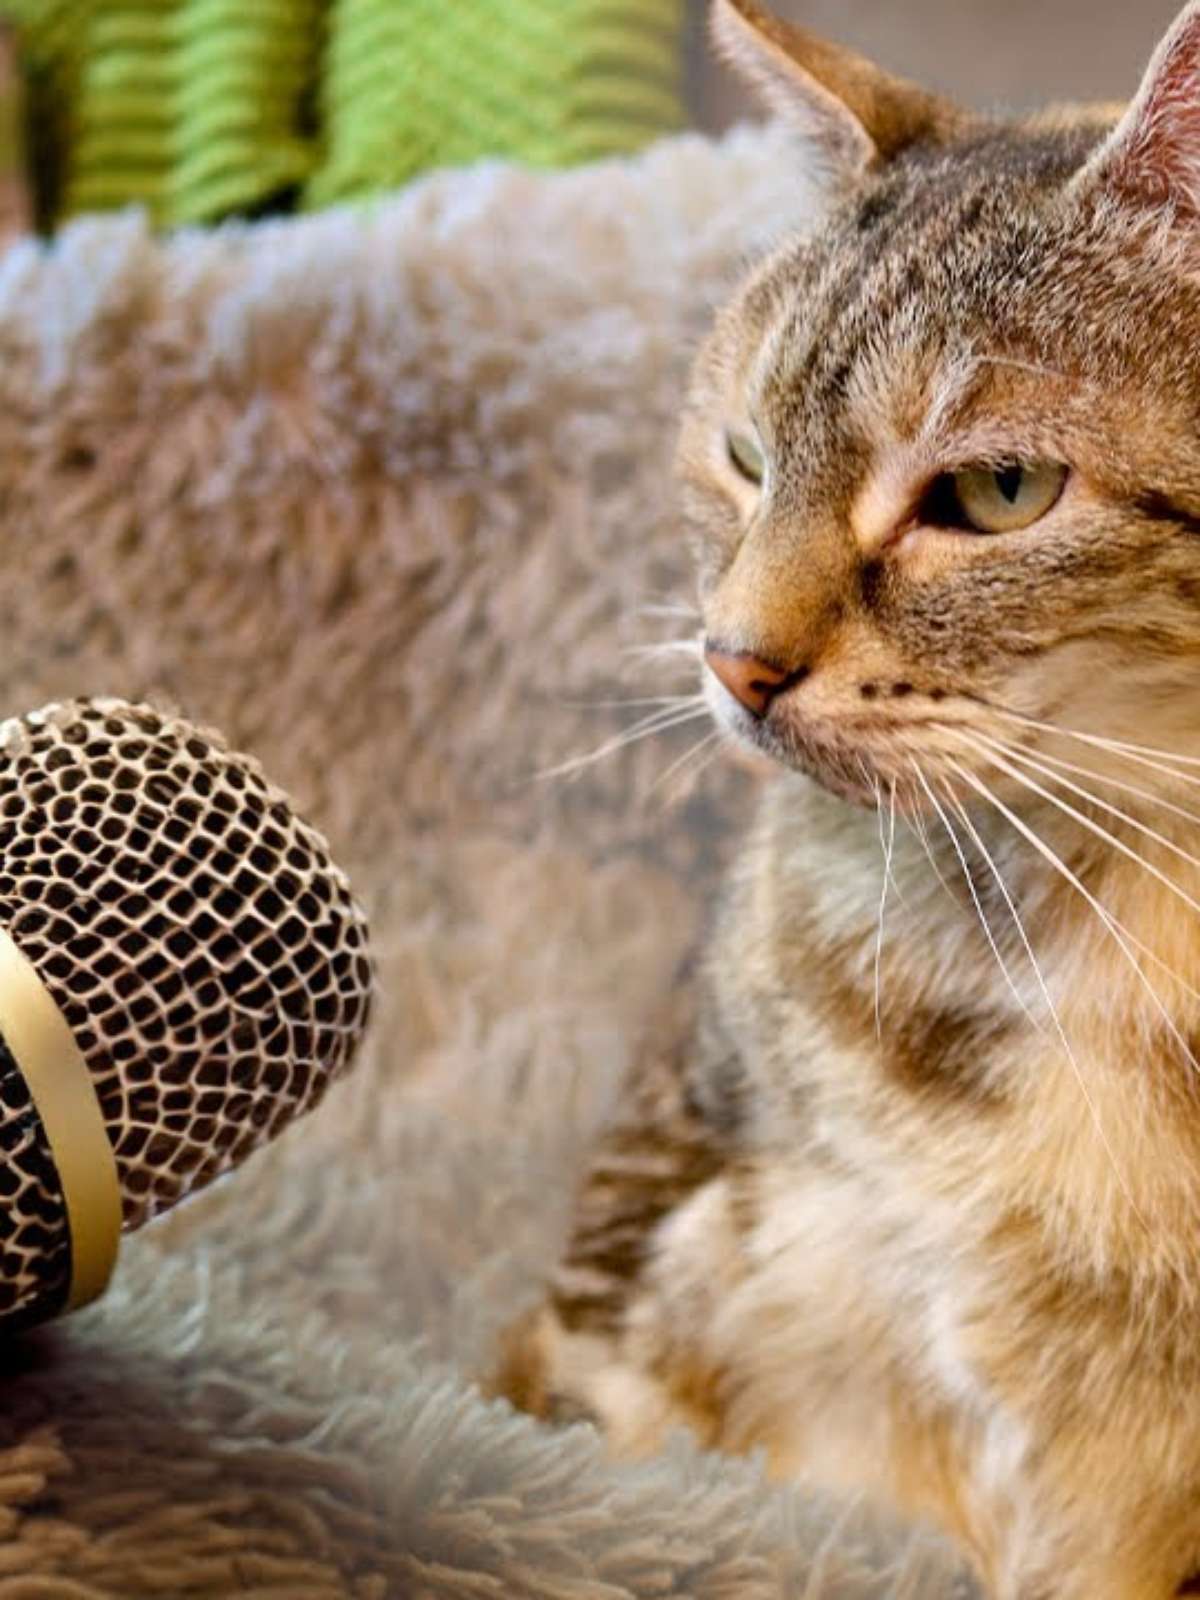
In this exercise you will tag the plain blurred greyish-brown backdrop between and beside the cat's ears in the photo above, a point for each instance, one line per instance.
(1022, 54)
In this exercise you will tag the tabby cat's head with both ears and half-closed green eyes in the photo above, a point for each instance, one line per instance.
(942, 457)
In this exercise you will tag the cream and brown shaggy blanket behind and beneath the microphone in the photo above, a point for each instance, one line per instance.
(386, 498)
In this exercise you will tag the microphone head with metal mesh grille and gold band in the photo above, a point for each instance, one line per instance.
(183, 970)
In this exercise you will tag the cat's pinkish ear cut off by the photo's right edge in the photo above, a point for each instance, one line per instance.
(1153, 158)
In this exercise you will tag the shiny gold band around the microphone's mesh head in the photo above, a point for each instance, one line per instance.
(71, 1116)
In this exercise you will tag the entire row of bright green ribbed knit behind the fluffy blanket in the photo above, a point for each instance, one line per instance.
(204, 108)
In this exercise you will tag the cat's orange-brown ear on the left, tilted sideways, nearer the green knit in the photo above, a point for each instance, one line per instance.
(850, 110)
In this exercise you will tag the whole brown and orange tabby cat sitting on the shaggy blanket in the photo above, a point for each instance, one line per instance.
(918, 1207)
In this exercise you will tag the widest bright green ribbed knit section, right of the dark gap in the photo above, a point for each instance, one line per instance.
(444, 82)
